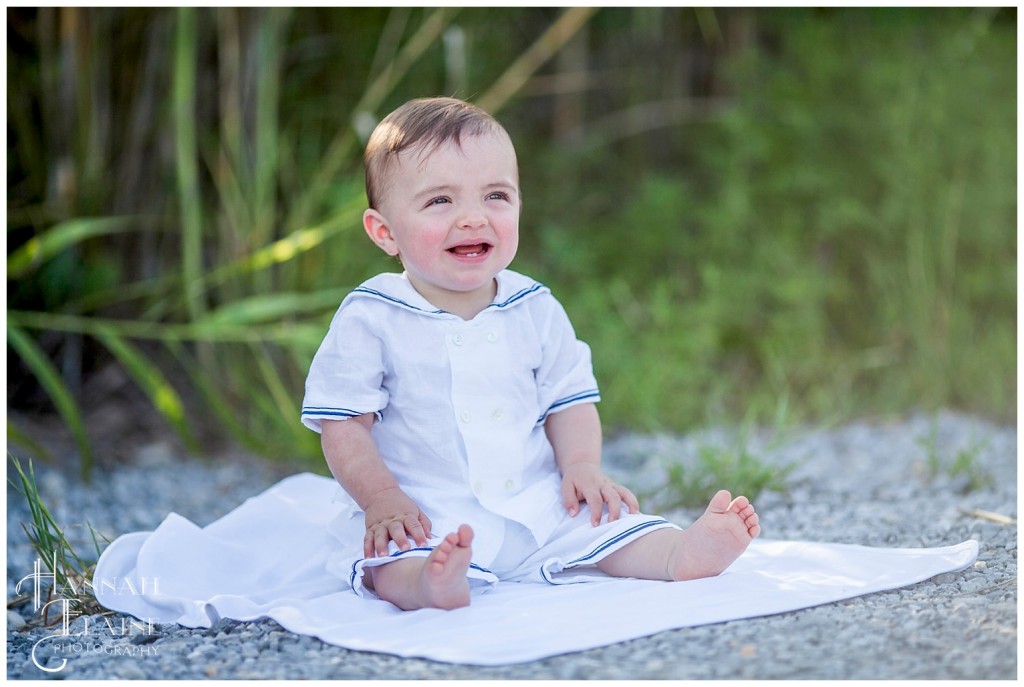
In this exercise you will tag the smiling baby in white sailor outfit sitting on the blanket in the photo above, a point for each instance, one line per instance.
(455, 398)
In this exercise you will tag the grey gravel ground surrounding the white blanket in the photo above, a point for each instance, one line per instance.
(887, 485)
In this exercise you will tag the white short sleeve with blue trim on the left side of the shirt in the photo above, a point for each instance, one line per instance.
(346, 376)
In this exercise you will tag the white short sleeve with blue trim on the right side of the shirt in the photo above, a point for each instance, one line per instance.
(567, 375)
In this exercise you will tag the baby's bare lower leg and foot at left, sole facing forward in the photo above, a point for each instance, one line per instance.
(436, 582)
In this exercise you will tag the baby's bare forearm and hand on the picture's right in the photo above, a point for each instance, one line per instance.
(576, 436)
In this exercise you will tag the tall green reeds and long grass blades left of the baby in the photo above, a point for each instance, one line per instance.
(216, 297)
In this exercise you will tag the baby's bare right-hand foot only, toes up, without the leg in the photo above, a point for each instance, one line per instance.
(717, 539)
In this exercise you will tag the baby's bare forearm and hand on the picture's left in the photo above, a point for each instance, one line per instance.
(356, 463)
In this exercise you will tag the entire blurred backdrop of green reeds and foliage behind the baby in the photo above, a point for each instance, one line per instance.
(756, 216)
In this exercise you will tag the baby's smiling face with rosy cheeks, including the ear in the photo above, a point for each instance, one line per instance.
(452, 214)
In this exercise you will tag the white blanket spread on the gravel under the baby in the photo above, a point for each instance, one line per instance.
(267, 559)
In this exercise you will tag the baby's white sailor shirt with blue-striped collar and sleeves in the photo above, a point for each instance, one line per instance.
(460, 405)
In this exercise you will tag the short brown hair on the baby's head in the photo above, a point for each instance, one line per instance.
(426, 122)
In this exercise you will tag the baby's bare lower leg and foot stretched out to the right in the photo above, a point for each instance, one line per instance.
(707, 548)
